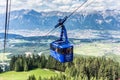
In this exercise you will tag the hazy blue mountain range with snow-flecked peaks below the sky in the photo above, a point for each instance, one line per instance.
(31, 19)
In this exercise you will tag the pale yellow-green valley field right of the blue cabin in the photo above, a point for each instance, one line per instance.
(97, 49)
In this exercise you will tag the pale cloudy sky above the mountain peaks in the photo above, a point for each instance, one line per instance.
(60, 5)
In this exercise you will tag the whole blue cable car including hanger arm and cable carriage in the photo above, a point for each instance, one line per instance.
(61, 49)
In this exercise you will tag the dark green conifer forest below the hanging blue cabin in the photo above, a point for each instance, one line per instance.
(82, 68)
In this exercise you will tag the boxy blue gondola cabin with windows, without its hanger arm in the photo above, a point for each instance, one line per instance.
(61, 51)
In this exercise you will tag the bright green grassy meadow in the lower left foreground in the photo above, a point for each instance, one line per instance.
(12, 75)
